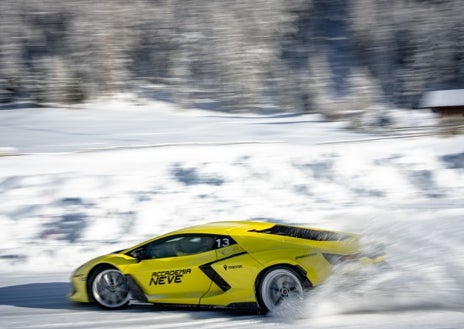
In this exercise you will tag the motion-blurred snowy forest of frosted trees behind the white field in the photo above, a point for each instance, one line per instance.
(287, 55)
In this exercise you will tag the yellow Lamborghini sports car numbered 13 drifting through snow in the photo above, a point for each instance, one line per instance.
(223, 264)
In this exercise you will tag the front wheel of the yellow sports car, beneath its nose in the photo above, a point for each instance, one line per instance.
(110, 290)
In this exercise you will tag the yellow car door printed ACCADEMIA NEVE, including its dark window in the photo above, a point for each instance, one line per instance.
(169, 269)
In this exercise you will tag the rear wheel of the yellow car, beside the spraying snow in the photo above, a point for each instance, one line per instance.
(280, 288)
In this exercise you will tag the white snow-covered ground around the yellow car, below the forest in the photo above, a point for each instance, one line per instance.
(80, 183)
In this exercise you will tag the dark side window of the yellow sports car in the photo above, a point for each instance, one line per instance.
(180, 245)
